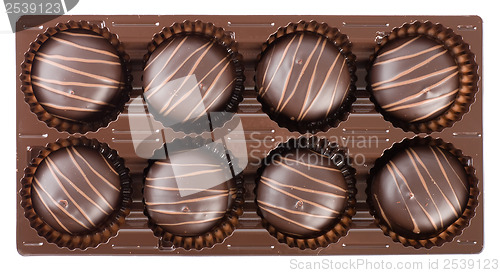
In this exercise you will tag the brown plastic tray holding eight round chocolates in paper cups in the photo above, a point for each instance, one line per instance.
(364, 133)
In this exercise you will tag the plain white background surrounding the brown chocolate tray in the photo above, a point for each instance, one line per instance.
(9, 258)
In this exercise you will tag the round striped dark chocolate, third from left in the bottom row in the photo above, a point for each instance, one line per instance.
(302, 193)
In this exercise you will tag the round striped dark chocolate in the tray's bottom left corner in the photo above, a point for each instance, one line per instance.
(75, 190)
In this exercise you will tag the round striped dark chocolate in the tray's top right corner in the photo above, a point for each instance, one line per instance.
(414, 79)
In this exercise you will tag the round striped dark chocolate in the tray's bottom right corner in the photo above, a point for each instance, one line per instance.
(420, 191)
